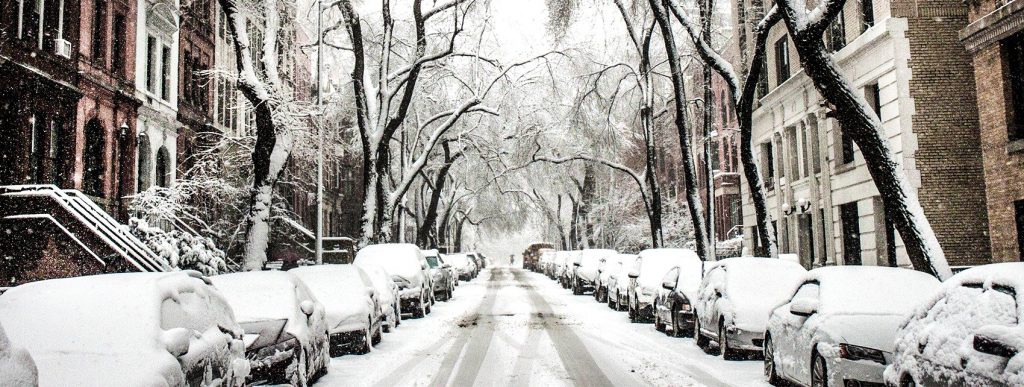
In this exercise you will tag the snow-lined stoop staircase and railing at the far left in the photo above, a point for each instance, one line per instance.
(72, 210)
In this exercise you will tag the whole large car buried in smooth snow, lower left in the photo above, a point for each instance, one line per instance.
(166, 329)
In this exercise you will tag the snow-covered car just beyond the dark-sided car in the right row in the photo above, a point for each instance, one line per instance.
(648, 276)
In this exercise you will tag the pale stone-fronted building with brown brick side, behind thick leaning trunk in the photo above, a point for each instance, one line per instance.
(905, 58)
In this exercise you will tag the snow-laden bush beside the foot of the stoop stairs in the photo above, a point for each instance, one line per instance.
(182, 250)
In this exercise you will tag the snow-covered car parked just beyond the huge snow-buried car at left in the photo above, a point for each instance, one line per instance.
(286, 331)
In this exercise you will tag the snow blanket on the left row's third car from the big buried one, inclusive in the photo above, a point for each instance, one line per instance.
(345, 292)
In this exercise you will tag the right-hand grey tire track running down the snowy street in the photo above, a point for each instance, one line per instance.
(576, 359)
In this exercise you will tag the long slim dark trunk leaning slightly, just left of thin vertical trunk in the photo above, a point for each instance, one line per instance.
(682, 126)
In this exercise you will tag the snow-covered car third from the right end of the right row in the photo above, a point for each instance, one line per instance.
(736, 299)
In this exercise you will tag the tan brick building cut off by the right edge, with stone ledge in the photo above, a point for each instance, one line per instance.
(995, 38)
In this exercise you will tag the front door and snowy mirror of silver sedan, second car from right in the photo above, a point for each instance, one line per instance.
(797, 339)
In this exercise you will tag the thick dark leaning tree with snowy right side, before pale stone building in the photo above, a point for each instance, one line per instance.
(807, 28)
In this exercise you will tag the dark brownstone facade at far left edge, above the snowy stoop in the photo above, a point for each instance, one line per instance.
(39, 92)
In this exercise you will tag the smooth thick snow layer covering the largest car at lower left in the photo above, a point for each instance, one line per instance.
(101, 330)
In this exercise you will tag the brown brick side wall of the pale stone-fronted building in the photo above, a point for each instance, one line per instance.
(946, 122)
